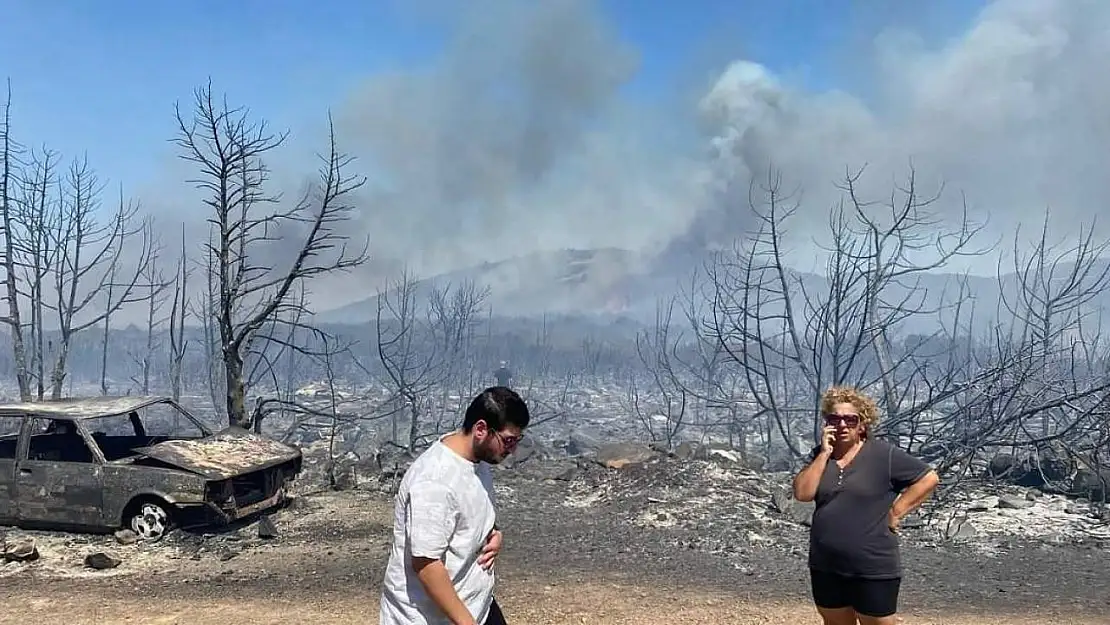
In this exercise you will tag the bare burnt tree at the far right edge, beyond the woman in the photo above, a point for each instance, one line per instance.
(1051, 384)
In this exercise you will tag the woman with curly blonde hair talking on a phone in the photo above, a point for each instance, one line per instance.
(863, 488)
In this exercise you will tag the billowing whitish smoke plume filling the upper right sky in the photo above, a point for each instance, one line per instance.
(1012, 114)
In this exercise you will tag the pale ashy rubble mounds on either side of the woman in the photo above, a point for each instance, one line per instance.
(720, 497)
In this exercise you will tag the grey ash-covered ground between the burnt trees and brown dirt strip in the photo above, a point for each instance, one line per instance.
(660, 522)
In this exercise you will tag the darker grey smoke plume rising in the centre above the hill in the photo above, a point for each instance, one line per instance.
(517, 140)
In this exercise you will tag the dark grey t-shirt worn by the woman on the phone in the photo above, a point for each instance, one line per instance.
(850, 533)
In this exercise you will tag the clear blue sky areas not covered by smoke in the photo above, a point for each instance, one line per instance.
(103, 76)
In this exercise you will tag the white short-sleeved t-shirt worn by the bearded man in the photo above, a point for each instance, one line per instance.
(445, 509)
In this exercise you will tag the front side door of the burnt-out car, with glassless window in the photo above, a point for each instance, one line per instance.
(59, 480)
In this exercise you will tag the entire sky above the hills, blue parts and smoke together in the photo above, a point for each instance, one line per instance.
(493, 128)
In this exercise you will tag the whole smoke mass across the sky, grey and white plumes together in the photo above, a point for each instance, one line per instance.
(523, 136)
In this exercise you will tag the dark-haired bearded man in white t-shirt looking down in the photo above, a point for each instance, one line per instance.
(446, 535)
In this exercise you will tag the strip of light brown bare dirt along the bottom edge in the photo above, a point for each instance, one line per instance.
(551, 604)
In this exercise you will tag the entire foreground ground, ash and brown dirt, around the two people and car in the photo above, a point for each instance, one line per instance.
(663, 541)
